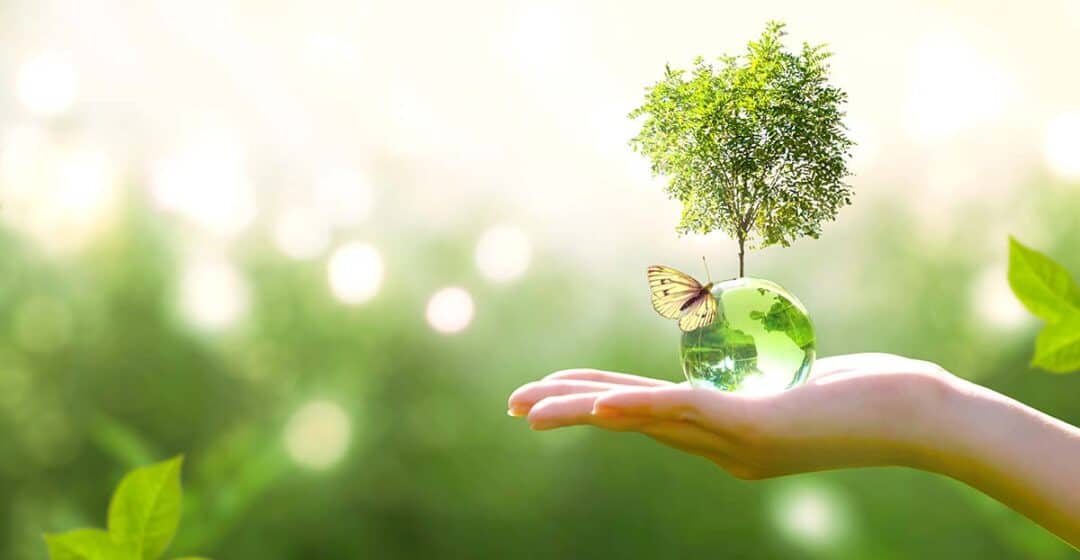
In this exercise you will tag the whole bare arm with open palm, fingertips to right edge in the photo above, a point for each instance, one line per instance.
(857, 411)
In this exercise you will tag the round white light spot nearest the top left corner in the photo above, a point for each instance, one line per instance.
(47, 85)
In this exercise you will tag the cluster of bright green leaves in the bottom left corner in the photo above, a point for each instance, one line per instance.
(144, 515)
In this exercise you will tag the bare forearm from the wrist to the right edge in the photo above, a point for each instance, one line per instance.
(1012, 453)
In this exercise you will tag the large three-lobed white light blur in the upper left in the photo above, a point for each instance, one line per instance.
(206, 180)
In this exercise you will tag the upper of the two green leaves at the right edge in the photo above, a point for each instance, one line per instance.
(1044, 286)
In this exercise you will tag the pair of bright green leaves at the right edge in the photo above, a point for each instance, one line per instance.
(1049, 292)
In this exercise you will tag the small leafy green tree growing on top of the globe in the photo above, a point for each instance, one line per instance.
(754, 146)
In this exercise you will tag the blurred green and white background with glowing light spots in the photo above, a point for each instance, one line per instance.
(211, 250)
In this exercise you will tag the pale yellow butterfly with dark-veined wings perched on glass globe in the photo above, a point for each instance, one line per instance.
(678, 296)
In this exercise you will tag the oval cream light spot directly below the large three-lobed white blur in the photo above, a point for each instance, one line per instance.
(213, 293)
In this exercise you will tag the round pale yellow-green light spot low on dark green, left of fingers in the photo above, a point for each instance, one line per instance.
(318, 435)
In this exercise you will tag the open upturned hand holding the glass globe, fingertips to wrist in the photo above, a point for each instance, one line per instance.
(856, 411)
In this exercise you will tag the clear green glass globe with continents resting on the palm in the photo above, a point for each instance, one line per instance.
(762, 342)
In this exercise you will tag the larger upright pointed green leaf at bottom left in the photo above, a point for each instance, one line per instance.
(145, 510)
